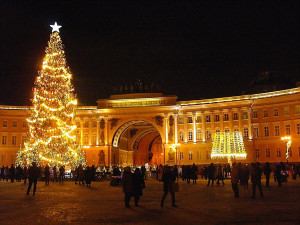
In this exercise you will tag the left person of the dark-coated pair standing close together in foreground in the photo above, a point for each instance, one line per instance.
(127, 185)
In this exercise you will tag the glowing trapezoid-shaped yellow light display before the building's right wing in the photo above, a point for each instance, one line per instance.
(228, 145)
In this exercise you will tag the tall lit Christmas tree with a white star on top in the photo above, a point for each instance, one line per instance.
(52, 129)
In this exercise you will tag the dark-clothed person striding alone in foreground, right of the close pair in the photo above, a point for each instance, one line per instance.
(168, 179)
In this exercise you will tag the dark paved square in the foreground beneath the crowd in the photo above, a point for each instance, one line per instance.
(198, 204)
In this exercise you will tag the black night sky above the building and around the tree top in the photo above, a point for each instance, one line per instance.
(192, 50)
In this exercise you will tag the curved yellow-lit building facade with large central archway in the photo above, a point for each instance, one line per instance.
(134, 129)
